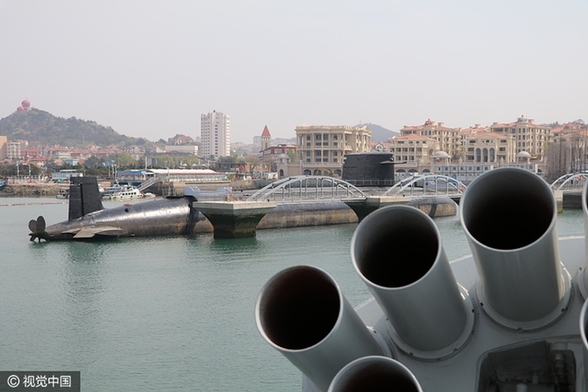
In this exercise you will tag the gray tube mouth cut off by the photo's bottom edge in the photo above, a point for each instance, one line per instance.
(374, 374)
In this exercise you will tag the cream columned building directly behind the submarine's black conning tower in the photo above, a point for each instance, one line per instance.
(321, 148)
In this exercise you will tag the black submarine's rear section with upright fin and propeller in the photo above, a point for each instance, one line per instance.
(88, 219)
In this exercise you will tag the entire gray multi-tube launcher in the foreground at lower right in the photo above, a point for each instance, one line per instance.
(511, 316)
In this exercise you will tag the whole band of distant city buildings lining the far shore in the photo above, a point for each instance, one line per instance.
(430, 147)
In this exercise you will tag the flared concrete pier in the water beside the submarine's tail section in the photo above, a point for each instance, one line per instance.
(235, 219)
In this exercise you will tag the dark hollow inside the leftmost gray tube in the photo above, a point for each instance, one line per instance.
(299, 308)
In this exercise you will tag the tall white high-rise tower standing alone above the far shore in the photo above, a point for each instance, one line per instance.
(215, 135)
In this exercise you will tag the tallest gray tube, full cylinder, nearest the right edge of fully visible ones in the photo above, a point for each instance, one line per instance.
(509, 217)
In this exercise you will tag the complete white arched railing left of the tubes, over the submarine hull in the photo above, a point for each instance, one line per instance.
(307, 188)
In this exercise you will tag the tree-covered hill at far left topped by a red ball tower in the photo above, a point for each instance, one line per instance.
(41, 128)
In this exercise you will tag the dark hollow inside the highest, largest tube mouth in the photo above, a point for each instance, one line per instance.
(508, 210)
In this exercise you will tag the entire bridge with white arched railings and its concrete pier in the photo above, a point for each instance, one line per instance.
(420, 191)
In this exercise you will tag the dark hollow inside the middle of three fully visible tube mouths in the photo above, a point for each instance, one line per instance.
(396, 249)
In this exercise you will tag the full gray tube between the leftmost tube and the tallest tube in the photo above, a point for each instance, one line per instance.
(397, 251)
